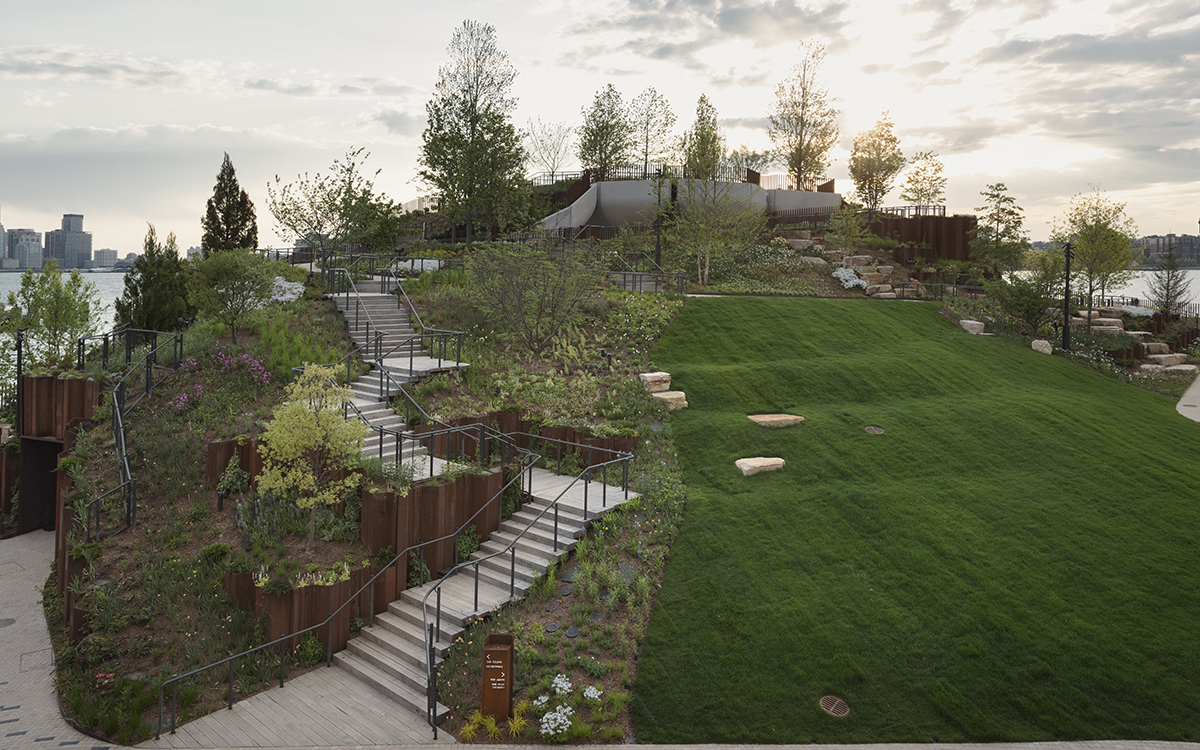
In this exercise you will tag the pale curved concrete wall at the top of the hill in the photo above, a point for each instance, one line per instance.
(632, 202)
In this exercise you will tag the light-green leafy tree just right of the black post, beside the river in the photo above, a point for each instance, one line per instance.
(1103, 238)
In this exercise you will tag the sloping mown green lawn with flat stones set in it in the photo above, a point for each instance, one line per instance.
(1016, 559)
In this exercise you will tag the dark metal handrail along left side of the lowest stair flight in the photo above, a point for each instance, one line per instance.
(526, 457)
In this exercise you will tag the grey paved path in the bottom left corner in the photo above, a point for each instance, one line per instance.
(29, 707)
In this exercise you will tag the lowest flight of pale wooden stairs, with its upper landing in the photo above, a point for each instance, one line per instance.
(389, 656)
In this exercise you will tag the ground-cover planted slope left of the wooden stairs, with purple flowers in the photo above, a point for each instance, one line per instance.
(154, 595)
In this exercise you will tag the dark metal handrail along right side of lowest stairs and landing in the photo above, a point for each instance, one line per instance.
(430, 629)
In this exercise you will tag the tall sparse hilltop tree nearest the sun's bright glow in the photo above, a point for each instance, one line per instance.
(803, 122)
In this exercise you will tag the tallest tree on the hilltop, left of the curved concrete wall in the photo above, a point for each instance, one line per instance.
(472, 157)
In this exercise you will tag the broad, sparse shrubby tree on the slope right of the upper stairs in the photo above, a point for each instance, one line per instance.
(531, 293)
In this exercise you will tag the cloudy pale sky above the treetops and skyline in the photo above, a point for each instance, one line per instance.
(122, 111)
